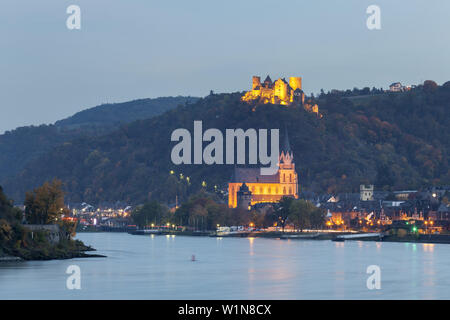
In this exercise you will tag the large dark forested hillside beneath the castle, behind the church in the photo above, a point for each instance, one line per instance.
(394, 140)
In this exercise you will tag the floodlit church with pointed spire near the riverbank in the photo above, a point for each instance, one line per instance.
(248, 187)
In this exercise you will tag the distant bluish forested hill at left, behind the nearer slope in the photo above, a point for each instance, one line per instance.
(20, 146)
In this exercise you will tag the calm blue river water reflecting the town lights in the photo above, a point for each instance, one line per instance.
(161, 267)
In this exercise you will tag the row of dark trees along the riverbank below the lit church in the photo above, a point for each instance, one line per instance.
(204, 211)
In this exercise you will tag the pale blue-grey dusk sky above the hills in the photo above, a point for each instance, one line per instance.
(139, 49)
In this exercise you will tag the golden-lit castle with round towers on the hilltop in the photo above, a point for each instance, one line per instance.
(279, 92)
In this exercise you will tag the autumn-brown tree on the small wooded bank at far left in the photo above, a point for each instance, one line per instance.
(45, 204)
